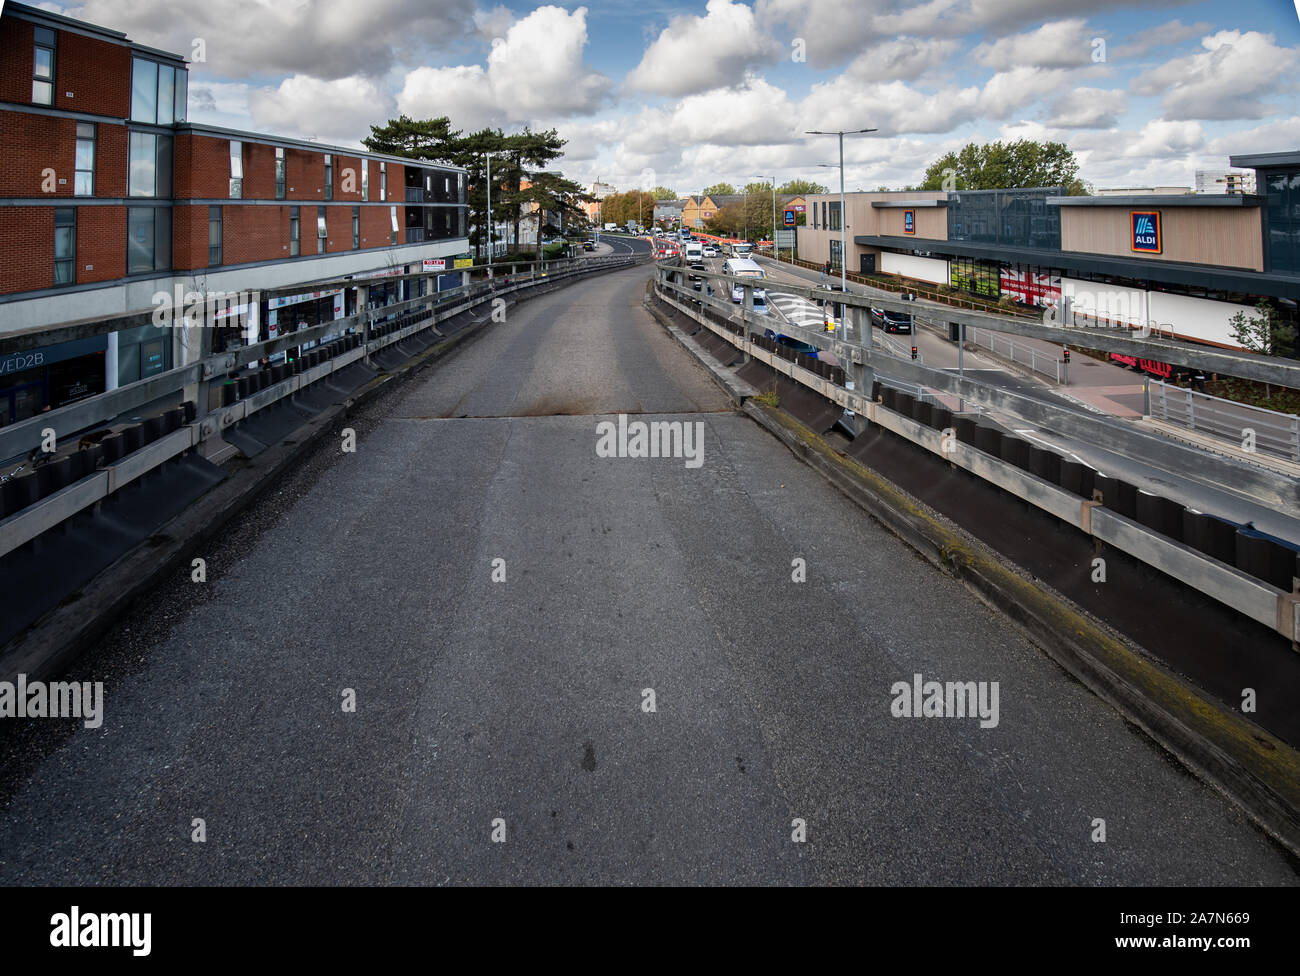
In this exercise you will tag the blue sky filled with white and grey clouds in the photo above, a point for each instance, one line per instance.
(688, 94)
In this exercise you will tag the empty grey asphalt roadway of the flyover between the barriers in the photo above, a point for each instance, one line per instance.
(521, 708)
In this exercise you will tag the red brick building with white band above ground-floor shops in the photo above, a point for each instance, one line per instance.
(111, 198)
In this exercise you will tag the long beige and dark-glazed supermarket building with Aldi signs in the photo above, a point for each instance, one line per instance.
(1188, 261)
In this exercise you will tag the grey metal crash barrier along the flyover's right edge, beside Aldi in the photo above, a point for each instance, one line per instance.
(1249, 571)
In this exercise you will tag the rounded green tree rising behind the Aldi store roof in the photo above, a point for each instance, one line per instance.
(999, 166)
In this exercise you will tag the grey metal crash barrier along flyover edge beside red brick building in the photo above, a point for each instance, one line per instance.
(215, 394)
